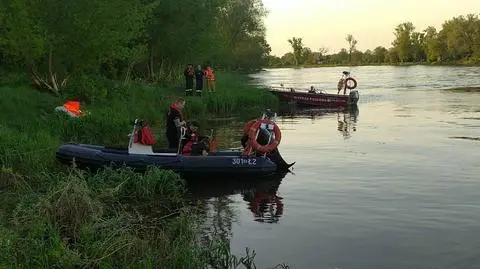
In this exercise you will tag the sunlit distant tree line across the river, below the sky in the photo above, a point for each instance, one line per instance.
(458, 42)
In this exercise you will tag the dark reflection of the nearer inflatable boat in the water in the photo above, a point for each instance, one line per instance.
(261, 195)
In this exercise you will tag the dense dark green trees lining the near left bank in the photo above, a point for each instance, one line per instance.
(55, 40)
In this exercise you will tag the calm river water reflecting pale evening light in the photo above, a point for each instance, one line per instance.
(395, 184)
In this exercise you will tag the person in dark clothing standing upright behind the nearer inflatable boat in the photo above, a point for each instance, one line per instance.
(174, 123)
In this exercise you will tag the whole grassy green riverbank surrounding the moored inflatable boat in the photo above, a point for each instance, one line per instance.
(54, 217)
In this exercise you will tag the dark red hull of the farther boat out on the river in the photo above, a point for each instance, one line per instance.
(318, 99)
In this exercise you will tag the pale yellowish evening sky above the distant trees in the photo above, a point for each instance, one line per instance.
(326, 23)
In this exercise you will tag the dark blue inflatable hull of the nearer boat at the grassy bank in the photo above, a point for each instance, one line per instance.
(227, 163)
